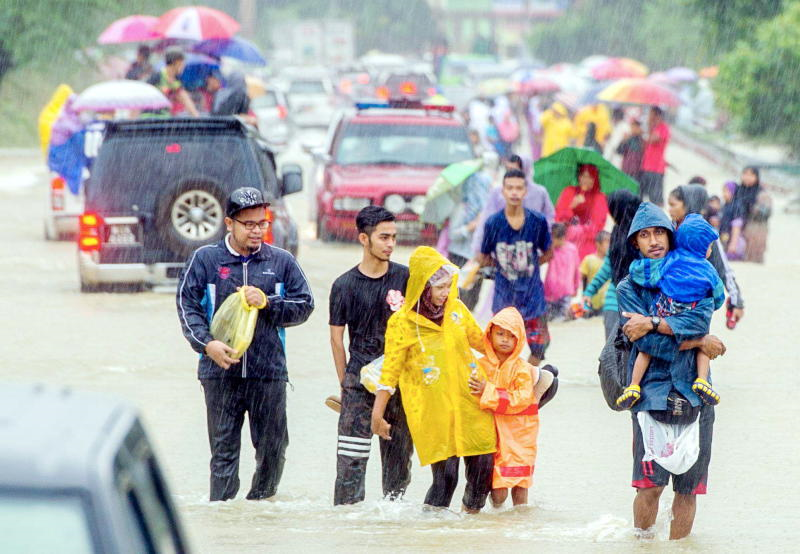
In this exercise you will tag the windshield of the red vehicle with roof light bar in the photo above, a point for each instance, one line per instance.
(403, 144)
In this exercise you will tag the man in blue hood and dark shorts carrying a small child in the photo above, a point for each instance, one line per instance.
(666, 386)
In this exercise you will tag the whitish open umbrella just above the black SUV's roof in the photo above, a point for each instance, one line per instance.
(121, 94)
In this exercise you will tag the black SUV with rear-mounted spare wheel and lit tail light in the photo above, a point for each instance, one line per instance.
(157, 192)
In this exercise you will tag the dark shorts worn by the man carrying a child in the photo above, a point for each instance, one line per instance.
(649, 474)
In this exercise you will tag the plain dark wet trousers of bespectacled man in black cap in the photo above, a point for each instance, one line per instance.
(227, 401)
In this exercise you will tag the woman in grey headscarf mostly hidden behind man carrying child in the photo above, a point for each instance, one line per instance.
(692, 199)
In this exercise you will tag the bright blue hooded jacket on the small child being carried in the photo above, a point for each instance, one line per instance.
(684, 274)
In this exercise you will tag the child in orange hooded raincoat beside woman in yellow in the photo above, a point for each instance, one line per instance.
(512, 391)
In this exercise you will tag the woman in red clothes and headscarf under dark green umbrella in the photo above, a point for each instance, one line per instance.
(583, 209)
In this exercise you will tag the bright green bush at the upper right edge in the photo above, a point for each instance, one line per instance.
(759, 81)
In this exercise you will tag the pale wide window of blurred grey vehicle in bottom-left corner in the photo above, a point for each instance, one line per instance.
(24, 516)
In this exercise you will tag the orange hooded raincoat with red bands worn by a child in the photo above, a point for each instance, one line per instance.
(509, 394)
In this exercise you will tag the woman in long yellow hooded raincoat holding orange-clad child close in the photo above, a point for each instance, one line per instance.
(428, 354)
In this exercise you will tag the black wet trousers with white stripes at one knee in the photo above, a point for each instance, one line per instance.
(355, 438)
